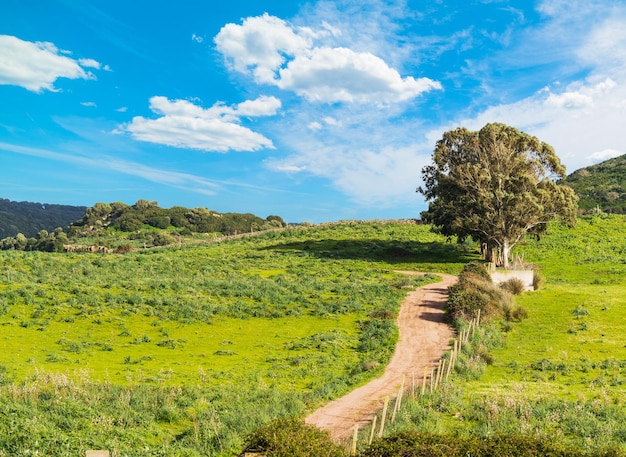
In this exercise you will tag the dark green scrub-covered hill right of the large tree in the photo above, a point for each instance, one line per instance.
(601, 186)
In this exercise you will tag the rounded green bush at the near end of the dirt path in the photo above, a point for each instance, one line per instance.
(291, 437)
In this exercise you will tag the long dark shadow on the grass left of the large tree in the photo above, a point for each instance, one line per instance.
(389, 251)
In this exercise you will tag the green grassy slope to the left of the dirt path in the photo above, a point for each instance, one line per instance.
(185, 350)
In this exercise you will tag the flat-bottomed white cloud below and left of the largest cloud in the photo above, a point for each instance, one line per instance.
(217, 129)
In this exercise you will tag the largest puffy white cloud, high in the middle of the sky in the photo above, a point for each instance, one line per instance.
(277, 53)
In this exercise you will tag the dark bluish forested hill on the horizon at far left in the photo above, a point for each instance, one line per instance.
(29, 218)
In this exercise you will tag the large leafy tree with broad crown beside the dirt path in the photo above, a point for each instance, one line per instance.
(495, 186)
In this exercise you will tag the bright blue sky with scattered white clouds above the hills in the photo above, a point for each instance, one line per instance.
(315, 111)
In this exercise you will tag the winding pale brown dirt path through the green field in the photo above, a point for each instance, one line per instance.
(423, 339)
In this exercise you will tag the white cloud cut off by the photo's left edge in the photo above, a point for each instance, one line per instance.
(36, 66)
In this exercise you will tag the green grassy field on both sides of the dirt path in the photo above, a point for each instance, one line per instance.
(185, 350)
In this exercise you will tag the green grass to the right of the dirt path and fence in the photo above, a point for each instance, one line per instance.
(561, 373)
